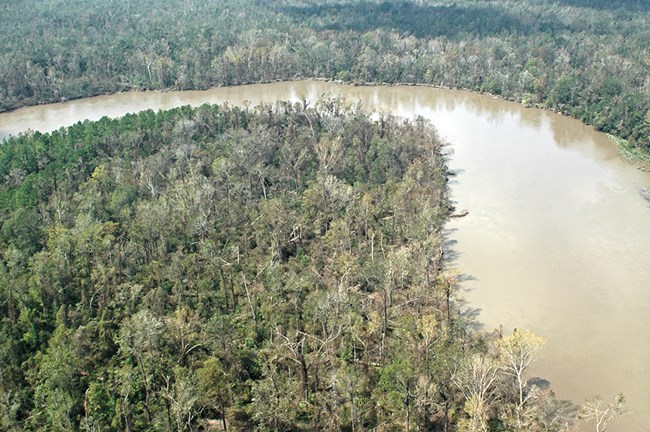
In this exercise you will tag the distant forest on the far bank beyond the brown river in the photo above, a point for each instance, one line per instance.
(585, 58)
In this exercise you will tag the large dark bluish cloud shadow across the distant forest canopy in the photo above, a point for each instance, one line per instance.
(418, 20)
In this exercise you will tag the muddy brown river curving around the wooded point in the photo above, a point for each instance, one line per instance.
(557, 238)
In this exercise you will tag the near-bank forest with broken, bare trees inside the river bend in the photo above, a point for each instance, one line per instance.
(271, 269)
